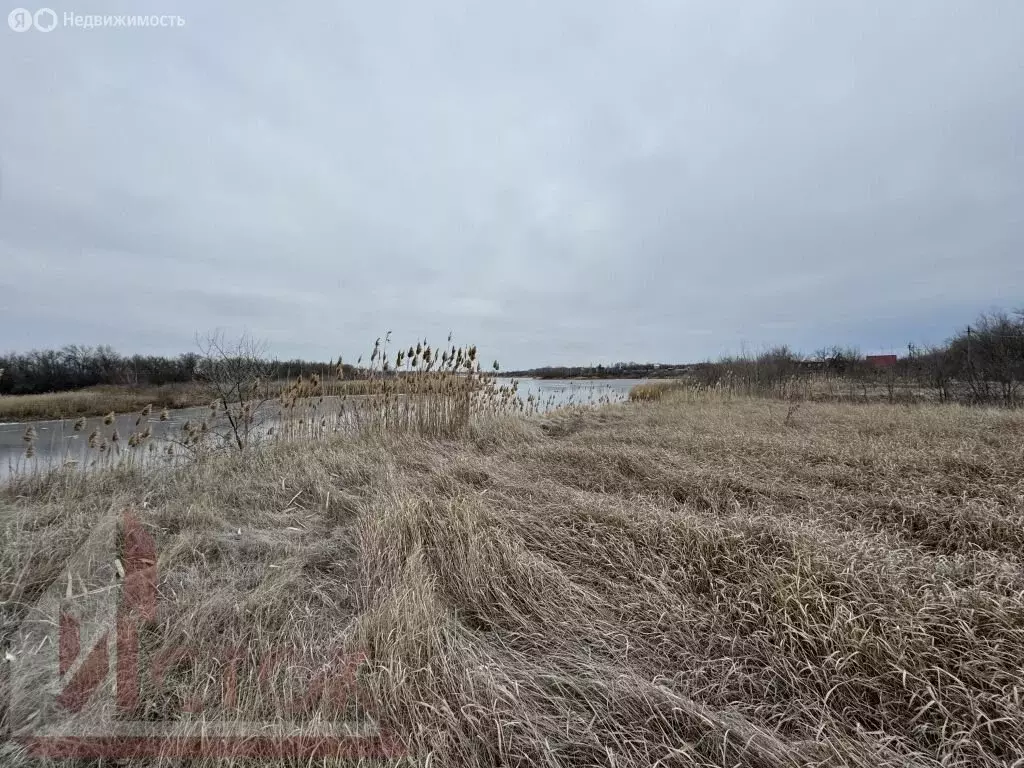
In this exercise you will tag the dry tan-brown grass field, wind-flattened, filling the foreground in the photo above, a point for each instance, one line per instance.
(691, 581)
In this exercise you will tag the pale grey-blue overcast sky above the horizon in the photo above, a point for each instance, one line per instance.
(573, 182)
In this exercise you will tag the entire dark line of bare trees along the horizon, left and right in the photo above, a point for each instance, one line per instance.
(983, 364)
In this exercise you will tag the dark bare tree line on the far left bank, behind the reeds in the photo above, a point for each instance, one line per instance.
(78, 367)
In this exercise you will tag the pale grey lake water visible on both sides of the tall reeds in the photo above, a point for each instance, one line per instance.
(58, 443)
